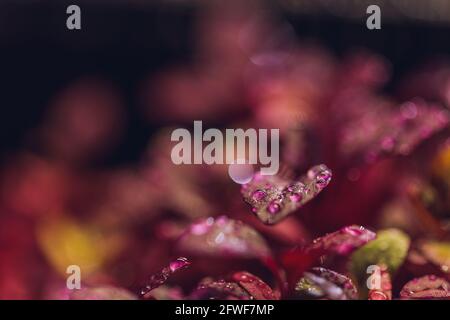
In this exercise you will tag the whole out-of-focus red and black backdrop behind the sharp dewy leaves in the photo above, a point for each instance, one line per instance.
(86, 116)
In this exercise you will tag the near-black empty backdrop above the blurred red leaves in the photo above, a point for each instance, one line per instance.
(125, 43)
